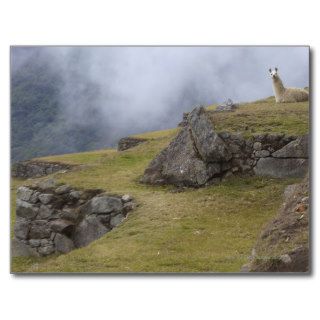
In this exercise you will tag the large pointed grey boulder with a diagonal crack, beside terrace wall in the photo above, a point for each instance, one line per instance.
(193, 158)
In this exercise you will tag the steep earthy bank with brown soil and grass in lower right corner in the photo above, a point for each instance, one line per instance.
(283, 246)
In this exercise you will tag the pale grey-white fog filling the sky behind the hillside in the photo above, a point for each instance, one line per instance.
(126, 90)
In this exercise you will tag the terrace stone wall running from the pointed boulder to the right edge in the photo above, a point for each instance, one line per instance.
(274, 155)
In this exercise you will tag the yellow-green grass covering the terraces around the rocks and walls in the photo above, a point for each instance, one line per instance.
(199, 230)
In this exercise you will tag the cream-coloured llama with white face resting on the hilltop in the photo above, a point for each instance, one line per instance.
(283, 94)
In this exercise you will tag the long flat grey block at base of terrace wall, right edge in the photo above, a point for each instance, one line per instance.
(281, 168)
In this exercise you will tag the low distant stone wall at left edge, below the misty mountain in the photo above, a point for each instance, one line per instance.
(34, 168)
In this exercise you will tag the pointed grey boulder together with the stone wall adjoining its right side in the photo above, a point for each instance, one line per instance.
(199, 155)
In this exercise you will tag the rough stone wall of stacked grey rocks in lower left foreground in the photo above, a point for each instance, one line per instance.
(57, 219)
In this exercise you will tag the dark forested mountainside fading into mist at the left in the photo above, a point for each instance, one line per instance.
(38, 127)
